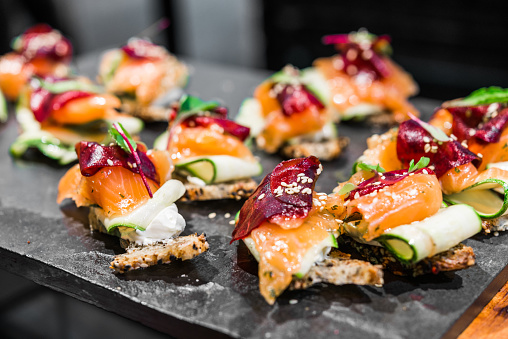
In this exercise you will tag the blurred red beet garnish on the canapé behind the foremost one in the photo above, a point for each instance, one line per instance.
(296, 98)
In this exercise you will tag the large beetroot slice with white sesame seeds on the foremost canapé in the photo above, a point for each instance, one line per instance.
(272, 198)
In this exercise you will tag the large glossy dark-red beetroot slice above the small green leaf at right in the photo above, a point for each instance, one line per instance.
(414, 142)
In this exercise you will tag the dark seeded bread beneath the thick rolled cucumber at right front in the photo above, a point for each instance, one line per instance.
(456, 258)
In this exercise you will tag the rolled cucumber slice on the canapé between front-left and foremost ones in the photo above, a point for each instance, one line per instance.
(219, 168)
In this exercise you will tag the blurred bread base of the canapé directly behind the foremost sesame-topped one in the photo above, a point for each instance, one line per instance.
(325, 150)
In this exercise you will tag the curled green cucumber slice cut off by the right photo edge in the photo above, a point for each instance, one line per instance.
(487, 203)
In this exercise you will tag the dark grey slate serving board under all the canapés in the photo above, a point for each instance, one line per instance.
(216, 294)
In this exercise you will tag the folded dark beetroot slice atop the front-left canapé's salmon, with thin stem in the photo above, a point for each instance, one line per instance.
(93, 157)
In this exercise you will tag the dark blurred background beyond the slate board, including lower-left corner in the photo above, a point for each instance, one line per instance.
(451, 48)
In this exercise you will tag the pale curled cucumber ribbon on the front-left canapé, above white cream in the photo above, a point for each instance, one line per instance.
(142, 216)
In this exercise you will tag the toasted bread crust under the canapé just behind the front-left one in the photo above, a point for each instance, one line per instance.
(238, 189)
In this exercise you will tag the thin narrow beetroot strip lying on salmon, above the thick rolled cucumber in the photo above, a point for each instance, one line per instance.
(382, 180)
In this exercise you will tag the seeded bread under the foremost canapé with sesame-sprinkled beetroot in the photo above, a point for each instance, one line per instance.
(340, 269)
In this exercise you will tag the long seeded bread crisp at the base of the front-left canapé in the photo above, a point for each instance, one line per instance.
(163, 252)
